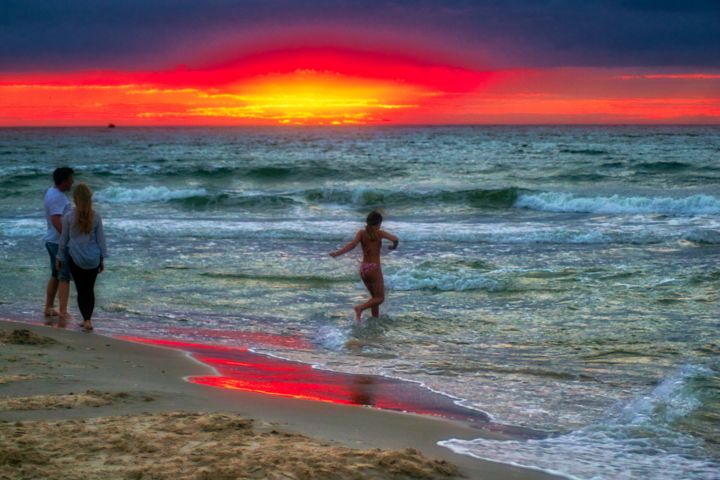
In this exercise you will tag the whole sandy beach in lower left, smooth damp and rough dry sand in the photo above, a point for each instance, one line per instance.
(74, 405)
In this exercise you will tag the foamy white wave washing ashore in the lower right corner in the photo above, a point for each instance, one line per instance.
(636, 440)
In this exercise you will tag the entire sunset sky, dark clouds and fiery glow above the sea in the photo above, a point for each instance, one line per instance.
(222, 62)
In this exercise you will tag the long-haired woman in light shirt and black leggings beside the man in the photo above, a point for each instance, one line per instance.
(82, 245)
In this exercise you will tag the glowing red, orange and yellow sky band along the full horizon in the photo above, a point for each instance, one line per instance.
(332, 86)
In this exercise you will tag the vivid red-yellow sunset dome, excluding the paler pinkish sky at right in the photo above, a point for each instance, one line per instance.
(294, 86)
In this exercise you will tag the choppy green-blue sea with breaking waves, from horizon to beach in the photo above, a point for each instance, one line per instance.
(559, 278)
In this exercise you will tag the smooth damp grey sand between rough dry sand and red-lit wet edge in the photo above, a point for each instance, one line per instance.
(159, 373)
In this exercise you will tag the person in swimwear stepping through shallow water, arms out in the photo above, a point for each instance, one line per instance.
(370, 271)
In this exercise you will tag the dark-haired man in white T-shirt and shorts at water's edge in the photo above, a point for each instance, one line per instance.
(56, 205)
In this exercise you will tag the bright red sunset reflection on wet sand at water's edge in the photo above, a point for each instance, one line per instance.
(240, 369)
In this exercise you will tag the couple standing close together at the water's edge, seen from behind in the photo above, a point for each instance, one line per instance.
(75, 241)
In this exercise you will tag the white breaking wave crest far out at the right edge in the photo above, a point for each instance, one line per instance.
(617, 204)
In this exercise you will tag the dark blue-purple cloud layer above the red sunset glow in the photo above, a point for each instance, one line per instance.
(52, 34)
